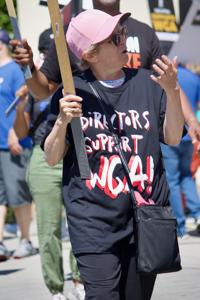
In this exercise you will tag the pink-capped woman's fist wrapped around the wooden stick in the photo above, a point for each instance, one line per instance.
(70, 107)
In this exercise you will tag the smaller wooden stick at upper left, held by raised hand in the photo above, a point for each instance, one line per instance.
(17, 35)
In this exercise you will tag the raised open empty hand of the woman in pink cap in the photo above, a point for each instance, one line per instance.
(167, 73)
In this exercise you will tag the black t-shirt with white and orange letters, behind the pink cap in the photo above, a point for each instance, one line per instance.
(142, 45)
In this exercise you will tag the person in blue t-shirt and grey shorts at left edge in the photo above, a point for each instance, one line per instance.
(14, 156)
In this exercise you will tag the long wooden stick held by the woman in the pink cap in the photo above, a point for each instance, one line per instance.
(68, 84)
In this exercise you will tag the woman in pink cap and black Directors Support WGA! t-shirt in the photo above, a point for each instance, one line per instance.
(143, 112)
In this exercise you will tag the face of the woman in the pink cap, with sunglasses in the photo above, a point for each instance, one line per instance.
(112, 52)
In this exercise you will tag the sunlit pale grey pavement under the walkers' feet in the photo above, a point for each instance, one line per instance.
(22, 279)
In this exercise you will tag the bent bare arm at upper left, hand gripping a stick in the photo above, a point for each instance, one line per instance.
(39, 86)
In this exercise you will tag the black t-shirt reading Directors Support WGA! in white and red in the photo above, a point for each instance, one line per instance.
(99, 210)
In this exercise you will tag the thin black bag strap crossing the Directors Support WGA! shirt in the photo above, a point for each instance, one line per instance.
(121, 153)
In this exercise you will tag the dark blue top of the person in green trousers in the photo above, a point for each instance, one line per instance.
(35, 108)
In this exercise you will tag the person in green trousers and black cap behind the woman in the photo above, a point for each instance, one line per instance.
(44, 181)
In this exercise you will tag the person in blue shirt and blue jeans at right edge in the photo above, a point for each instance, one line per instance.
(178, 161)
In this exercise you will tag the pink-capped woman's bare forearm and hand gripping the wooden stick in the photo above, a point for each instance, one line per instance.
(55, 144)
